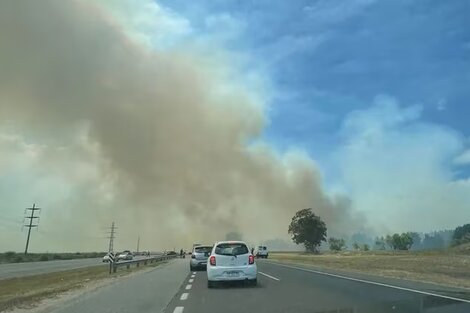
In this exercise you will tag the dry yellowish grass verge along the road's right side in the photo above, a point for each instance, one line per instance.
(447, 268)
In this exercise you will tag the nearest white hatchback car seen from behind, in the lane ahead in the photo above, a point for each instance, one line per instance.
(231, 261)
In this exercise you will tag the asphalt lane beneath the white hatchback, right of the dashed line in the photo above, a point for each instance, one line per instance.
(296, 289)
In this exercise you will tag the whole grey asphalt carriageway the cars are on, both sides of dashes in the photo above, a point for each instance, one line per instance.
(172, 288)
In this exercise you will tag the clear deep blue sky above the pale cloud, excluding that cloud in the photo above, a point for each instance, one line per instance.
(325, 59)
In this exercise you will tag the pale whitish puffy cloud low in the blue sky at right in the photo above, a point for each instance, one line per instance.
(394, 167)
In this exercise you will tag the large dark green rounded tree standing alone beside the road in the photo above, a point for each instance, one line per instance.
(308, 229)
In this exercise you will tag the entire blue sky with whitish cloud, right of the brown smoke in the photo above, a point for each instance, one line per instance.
(402, 66)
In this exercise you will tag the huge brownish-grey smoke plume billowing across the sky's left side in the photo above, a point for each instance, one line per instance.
(161, 142)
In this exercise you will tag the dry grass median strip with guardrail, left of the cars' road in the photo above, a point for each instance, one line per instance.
(24, 292)
